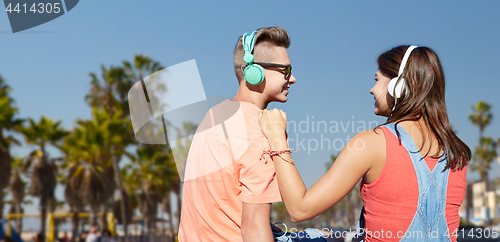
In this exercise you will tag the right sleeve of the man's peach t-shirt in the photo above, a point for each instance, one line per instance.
(257, 176)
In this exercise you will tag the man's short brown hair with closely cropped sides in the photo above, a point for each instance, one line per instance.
(265, 39)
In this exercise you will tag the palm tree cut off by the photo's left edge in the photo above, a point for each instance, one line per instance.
(8, 123)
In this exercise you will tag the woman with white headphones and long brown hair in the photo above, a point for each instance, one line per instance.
(413, 167)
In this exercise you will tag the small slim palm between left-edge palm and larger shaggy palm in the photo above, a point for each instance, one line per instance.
(17, 189)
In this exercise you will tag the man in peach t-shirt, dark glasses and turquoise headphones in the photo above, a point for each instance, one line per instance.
(229, 184)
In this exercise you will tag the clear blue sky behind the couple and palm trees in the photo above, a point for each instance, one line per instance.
(333, 52)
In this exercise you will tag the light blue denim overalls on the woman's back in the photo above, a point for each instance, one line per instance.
(429, 222)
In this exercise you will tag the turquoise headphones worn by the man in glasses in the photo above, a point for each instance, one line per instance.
(253, 73)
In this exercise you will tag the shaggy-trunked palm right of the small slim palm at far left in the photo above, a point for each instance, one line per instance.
(43, 170)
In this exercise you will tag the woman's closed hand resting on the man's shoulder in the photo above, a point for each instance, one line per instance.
(273, 124)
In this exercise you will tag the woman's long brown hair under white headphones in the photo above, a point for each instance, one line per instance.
(424, 98)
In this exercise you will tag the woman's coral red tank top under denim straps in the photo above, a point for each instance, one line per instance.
(391, 200)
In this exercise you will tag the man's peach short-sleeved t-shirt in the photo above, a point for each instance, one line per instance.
(225, 168)
